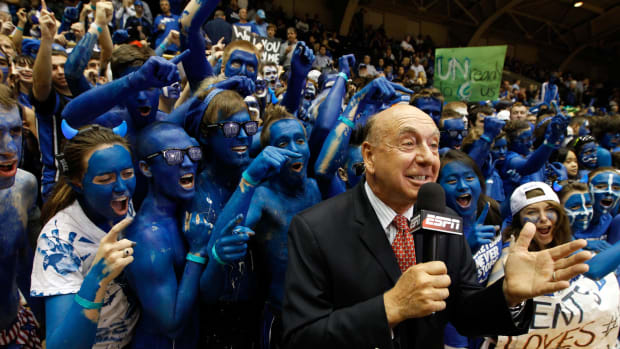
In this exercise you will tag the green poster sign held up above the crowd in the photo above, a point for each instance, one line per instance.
(469, 73)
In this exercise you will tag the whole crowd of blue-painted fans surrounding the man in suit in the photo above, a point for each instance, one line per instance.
(148, 200)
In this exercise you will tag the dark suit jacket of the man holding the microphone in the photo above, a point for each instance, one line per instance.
(341, 263)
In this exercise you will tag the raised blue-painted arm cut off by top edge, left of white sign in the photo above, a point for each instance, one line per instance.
(196, 66)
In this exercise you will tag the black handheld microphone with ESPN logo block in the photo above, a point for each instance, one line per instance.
(430, 219)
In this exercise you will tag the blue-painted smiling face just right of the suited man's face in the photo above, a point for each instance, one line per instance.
(462, 188)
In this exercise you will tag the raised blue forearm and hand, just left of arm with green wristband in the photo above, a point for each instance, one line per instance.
(301, 63)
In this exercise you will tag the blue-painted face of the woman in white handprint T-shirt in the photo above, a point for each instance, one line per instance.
(109, 182)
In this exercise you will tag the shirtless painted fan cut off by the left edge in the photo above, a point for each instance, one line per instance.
(20, 220)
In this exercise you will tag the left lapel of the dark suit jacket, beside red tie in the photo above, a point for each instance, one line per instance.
(373, 235)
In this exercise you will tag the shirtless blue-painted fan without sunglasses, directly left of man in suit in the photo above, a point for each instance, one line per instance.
(273, 205)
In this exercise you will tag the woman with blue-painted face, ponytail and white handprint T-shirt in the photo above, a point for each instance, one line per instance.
(79, 252)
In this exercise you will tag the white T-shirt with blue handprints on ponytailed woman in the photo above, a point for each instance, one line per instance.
(65, 251)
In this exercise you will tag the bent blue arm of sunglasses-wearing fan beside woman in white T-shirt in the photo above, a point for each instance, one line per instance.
(164, 301)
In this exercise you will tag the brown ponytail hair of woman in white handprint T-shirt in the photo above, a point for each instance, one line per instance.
(73, 163)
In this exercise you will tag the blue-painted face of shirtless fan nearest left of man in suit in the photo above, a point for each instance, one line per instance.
(289, 134)
